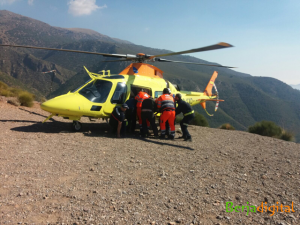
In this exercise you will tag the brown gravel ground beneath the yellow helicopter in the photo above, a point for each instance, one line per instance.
(50, 175)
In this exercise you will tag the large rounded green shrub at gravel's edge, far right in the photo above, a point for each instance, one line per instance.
(266, 128)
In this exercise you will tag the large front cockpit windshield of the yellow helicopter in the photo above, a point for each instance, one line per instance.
(97, 91)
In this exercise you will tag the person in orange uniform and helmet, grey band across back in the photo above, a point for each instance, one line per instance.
(165, 103)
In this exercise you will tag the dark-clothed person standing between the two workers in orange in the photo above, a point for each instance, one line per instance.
(148, 109)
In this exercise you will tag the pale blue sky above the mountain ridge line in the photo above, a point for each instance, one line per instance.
(265, 33)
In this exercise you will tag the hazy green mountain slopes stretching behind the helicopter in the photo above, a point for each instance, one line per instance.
(247, 99)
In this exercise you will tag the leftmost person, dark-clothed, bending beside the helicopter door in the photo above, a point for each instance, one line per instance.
(116, 122)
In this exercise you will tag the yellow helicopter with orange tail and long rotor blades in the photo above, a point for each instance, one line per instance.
(103, 91)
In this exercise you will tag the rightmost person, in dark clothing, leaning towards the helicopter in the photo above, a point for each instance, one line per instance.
(188, 115)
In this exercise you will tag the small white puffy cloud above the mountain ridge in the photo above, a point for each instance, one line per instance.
(83, 7)
